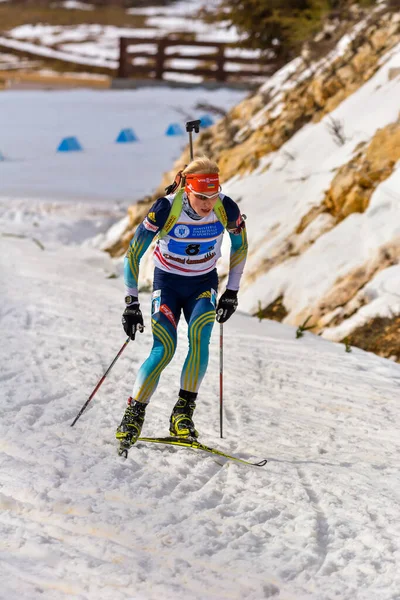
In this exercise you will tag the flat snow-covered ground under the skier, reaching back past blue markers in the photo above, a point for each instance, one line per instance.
(319, 522)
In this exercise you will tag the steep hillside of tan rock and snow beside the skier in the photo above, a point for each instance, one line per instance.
(312, 158)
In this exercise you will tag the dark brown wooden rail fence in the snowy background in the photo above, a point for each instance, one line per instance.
(166, 55)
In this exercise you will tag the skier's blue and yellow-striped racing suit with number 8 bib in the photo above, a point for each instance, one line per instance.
(185, 279)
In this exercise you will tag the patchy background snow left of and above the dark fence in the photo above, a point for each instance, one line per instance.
(98, 45)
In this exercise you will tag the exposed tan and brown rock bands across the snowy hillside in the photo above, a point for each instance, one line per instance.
(257, 128)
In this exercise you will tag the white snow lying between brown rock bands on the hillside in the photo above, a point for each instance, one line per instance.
(289, 183)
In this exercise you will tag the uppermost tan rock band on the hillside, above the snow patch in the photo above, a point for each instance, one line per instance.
(281, 113)
